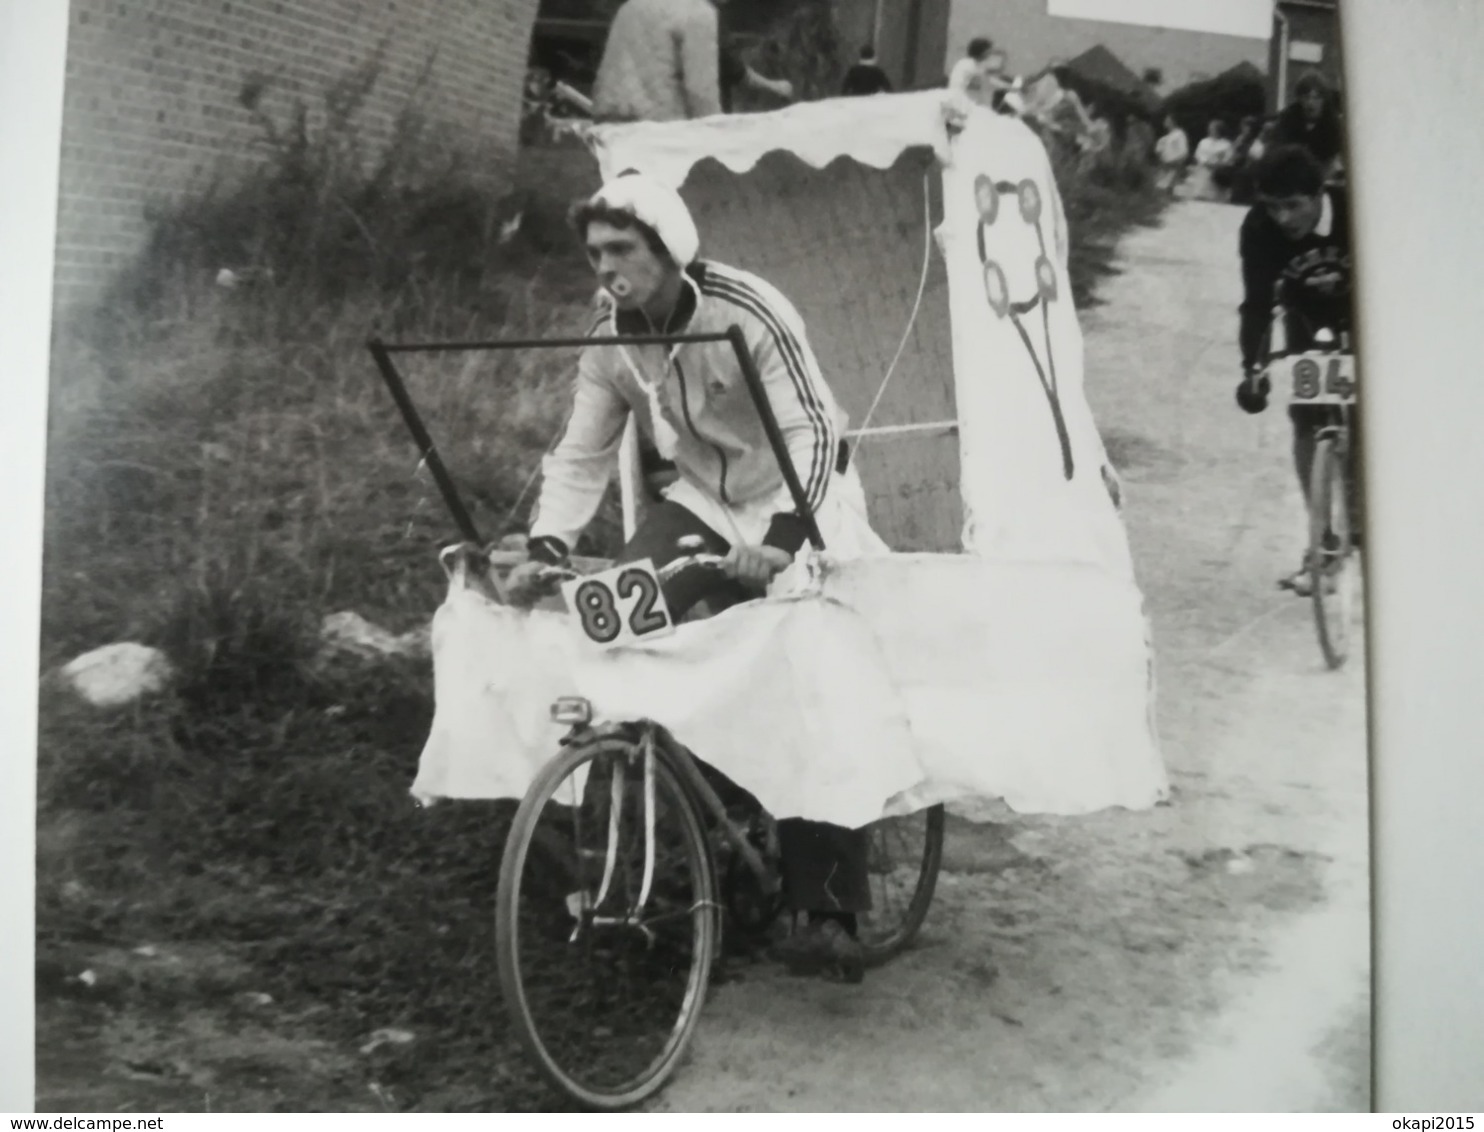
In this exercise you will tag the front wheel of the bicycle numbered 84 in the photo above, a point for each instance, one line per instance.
(1332, 553)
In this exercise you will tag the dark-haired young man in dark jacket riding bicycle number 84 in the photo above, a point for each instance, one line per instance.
(1296, 253)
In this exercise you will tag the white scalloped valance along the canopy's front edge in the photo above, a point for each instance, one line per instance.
(873, 131)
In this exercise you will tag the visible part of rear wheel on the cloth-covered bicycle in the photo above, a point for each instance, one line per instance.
(904, 857)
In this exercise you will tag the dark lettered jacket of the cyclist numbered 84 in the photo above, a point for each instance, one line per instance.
(1314, 274)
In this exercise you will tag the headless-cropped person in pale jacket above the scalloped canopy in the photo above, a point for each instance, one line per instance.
(661, 63)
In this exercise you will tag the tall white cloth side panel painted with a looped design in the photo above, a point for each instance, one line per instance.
(1037, 478)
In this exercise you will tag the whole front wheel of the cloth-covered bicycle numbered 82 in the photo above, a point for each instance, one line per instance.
(606, 922)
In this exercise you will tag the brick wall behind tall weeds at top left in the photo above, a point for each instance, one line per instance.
(154, 97)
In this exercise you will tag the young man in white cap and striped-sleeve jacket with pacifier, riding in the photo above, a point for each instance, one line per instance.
(694, 407)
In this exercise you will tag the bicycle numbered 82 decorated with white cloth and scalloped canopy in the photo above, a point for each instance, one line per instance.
(997, 659)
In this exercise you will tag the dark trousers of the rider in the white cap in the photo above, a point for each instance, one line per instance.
(824, 866)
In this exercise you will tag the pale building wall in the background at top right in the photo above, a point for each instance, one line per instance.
(1034, 39)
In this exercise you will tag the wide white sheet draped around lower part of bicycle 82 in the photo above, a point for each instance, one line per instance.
(891, 683)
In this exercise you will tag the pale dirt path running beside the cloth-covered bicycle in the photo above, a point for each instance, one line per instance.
(1212, 955)
